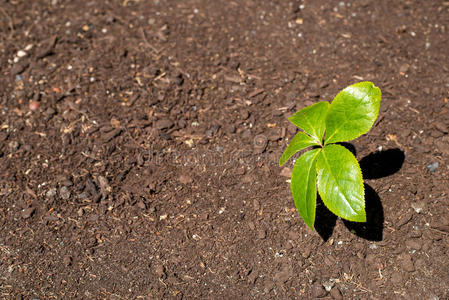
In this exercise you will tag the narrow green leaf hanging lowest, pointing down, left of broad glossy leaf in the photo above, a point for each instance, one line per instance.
(303, 186)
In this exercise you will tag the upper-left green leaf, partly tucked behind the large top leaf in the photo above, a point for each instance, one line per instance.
(311, 119)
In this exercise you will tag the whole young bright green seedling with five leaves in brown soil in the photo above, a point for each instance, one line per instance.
(329, 166)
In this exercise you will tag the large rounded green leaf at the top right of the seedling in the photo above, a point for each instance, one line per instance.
(352, 112)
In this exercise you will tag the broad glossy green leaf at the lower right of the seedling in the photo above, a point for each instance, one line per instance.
(340, 183)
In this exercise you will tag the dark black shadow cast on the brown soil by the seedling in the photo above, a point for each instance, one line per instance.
(375, 165)
